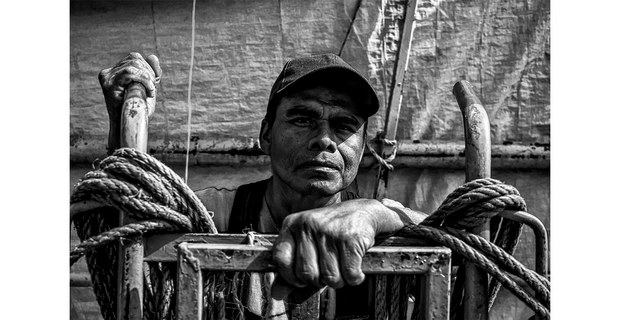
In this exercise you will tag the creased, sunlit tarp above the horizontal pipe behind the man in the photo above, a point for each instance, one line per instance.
(501, 47)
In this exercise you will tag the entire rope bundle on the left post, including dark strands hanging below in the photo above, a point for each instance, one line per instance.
(145, 189)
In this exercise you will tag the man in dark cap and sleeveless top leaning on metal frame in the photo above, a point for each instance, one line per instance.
(314, 131)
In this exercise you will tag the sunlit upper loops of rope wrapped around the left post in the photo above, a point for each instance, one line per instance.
(149, 190)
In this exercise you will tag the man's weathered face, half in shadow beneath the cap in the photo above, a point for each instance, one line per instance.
(316, 141)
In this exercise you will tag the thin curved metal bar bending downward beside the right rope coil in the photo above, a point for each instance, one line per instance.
(540, 233)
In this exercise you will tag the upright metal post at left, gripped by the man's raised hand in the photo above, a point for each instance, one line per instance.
(134, 134)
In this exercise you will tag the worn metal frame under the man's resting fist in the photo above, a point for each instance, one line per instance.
(195, 253)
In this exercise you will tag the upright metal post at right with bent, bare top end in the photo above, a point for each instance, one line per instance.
(477, 165)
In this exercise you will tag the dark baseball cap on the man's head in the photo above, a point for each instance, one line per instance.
(328, 68)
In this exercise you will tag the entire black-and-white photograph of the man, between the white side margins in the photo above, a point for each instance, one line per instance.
(310, 159)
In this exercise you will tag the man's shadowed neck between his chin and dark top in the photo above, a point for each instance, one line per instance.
(282, 200)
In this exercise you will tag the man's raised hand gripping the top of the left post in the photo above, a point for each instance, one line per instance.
(133, 68)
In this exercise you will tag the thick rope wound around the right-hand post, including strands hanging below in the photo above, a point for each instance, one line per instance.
(471, 205)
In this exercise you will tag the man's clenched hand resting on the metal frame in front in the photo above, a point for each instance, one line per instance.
(324, 246)
